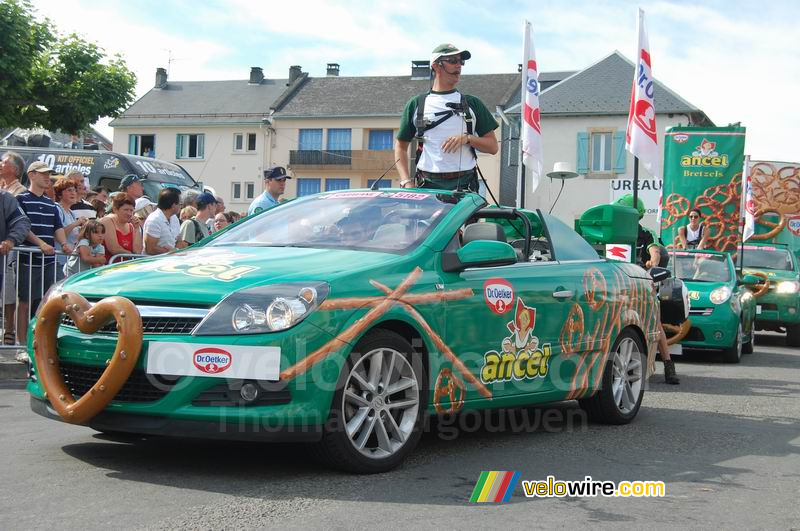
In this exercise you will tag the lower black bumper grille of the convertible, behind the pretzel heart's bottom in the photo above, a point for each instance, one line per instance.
(139, 387)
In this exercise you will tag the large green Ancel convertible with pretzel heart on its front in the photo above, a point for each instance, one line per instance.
(343, 319)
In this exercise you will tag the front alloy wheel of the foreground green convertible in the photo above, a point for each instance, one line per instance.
(376, 414)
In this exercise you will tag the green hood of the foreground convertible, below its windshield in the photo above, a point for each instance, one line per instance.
(205, 275)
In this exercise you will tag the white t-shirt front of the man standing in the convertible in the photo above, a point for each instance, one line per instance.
(433, 159)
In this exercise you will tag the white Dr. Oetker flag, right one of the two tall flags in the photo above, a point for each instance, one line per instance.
(641, 138)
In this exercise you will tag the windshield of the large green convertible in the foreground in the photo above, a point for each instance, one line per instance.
(383, 221)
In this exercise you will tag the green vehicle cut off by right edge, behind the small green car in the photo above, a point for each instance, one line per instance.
(778, 300)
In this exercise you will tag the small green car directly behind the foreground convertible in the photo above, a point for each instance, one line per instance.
(722, 307)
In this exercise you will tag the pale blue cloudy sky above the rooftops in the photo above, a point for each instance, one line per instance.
(739, 61)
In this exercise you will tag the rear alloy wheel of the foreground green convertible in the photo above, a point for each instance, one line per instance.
(622, 386)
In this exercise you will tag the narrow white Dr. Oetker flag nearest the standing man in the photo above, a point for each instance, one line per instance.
(531, 121)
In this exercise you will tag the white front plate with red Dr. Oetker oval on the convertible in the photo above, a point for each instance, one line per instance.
(216, 361)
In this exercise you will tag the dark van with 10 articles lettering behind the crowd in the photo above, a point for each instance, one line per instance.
(107, 168)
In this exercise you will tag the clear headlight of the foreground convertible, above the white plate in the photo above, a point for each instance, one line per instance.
(263, 309)
